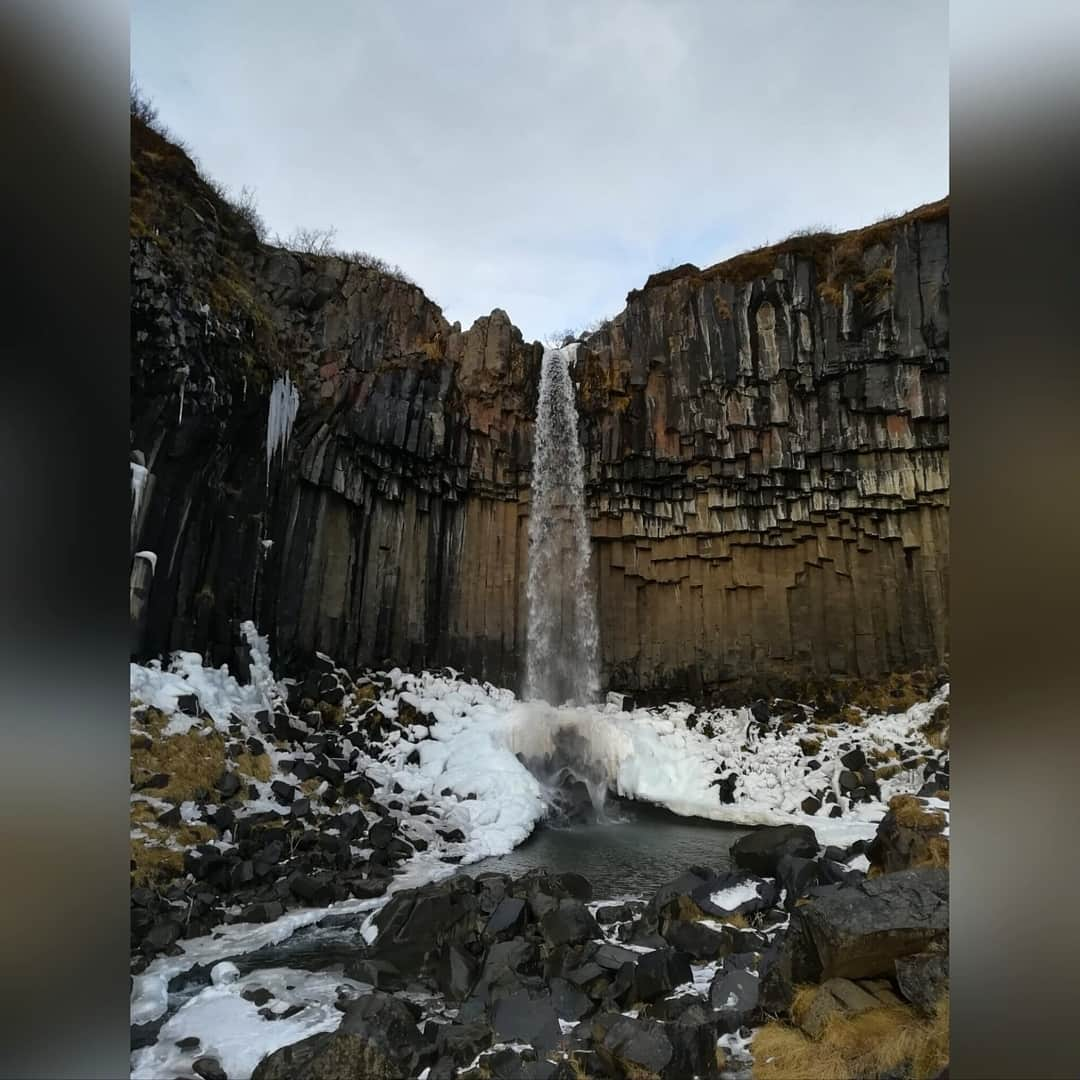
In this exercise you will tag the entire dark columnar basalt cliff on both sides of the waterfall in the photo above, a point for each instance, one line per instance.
(766, 453)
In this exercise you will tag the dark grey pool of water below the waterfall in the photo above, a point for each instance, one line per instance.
(634, 855)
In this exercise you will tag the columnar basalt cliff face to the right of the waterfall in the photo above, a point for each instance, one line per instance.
(769, 468)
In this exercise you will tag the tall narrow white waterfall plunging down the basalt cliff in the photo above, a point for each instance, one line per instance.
(562, 650)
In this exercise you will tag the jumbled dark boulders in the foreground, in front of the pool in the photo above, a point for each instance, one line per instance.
(795, 953)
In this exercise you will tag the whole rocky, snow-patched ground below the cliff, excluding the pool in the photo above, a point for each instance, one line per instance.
(301, 904)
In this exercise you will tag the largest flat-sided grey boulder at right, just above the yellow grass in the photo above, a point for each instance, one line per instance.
(861, 931)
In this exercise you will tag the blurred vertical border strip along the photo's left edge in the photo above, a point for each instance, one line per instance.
(63, 628)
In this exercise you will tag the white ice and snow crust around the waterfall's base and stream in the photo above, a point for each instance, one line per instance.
(470, 746)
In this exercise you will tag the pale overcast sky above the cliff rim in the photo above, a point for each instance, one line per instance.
(546, 157)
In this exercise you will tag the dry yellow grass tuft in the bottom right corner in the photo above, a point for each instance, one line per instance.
(866, 1046)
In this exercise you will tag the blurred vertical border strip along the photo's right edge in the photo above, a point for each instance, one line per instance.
(1016, 173)
